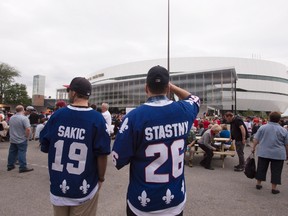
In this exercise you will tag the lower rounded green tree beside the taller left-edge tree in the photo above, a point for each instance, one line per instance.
(17, 94)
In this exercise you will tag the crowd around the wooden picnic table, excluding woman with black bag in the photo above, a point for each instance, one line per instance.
(241, 129)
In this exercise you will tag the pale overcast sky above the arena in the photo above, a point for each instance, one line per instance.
(62, 39)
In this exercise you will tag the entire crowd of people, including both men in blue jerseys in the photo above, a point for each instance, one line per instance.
(152, 138)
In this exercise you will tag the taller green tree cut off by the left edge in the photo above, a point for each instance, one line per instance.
(7, 74)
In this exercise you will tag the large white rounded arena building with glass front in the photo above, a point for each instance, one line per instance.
(221, 83)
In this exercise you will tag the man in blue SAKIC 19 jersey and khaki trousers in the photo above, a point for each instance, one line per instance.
(77, 142)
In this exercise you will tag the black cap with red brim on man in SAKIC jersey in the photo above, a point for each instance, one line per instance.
(80, 85)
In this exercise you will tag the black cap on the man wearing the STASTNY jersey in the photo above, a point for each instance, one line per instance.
(157, 75)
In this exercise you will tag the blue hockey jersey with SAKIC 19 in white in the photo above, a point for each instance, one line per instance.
(73, 137)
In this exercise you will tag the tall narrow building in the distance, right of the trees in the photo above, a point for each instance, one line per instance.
(38, 90)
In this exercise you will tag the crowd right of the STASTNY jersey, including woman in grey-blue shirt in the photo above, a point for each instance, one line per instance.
(269, 139)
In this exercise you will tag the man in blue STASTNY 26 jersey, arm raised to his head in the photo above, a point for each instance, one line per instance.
(152, 139)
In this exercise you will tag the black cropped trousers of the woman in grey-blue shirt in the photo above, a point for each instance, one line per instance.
(276, 169)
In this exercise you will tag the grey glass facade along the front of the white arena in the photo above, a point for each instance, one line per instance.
(215, 88)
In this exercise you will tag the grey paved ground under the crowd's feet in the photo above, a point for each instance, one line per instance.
(218, 192)
